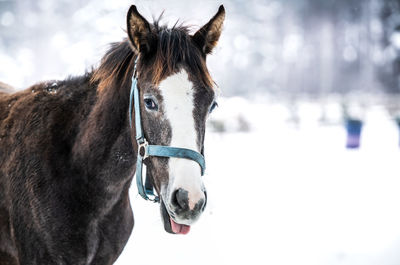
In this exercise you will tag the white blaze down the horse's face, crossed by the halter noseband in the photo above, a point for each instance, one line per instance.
(177, 92)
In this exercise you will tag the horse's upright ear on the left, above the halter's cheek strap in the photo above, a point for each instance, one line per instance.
(139, 30)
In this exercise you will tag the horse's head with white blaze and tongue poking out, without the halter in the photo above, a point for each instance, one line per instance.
(176, 95)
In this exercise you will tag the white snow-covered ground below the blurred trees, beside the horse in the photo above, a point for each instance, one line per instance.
(285, 195)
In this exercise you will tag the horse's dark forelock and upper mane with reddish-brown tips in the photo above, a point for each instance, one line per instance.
(173, 49)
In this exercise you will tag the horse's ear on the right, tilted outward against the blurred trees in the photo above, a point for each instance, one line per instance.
(207, 37)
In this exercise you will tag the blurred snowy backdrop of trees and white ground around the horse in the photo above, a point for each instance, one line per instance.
(303, 151)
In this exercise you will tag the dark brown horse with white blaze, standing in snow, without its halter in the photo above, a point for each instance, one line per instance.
(68, 153)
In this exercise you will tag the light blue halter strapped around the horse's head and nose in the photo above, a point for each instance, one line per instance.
(145, 150)
